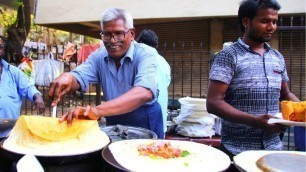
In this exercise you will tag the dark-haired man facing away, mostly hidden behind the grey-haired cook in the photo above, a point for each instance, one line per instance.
(150, 38)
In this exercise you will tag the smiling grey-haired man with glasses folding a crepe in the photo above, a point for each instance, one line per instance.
(127, 73)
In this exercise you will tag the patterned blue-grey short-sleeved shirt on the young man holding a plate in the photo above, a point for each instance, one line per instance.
(254, 84)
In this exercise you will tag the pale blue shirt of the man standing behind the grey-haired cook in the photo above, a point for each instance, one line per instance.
(164, 79)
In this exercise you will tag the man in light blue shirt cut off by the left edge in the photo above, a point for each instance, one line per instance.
(14, 85)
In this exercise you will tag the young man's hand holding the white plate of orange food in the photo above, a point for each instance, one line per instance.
(262, 122)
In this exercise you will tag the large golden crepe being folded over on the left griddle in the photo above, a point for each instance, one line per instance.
(41, 135)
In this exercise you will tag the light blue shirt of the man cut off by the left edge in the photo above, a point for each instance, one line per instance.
(14, 85)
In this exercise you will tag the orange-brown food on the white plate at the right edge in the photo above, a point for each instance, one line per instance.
(294, 111)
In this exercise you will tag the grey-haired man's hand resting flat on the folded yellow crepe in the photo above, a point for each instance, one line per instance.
(80, 113)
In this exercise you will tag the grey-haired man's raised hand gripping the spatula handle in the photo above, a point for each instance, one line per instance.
(62, 85)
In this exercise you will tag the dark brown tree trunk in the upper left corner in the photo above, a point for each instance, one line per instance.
(17, 32)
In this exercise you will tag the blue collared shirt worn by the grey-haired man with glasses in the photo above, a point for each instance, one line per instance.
(138, 68)
